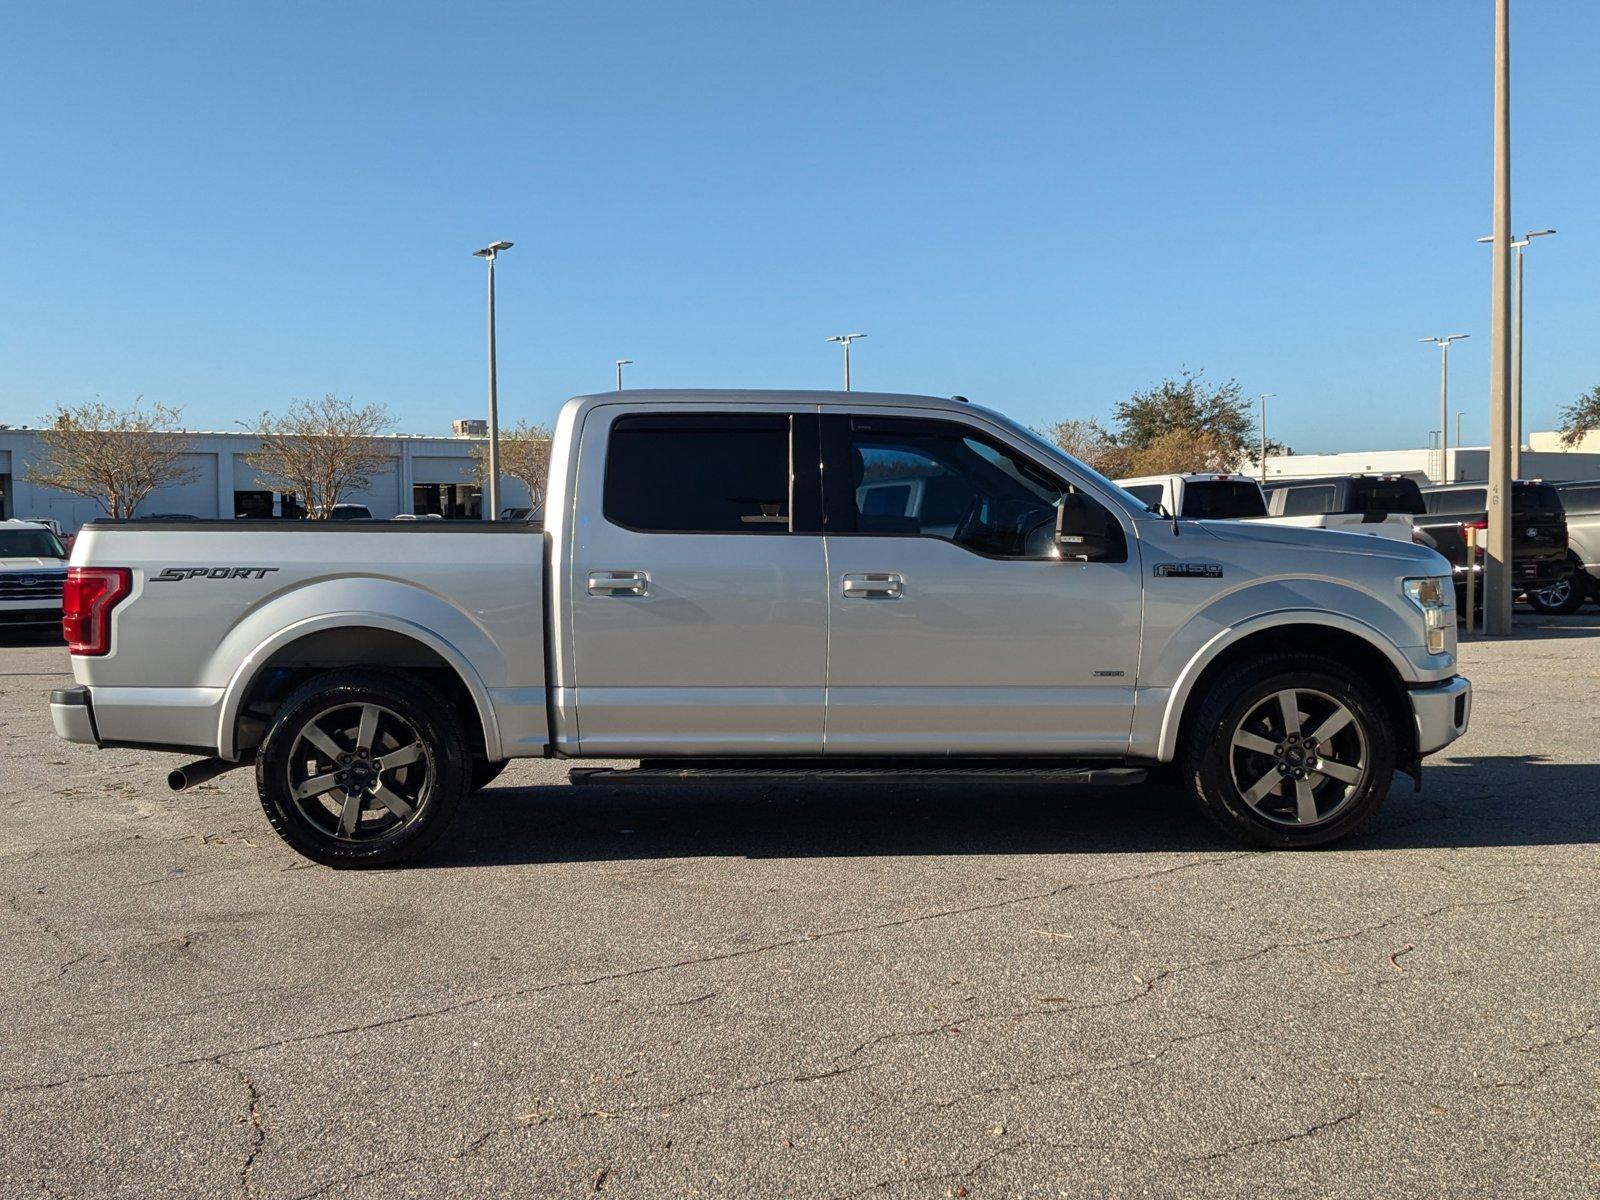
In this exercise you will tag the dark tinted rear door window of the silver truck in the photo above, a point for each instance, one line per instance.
(698, 474)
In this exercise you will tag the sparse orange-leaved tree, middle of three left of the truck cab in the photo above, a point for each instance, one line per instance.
(321, 450)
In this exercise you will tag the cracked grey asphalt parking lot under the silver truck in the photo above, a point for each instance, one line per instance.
(780, 993)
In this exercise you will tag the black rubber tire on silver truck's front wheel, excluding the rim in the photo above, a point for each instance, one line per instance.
(1238, 694)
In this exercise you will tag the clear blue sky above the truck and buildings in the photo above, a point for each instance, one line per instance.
(1038, 206)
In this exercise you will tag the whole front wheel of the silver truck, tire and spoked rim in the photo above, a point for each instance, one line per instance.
(1241, 758)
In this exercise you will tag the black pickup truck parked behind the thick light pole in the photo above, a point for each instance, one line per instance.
(1538, 534)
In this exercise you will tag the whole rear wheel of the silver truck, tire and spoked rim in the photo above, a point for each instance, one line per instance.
(316, 745)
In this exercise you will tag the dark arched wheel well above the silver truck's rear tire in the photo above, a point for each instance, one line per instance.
(350, 647)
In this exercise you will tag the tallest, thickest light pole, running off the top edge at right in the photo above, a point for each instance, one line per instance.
(1498, 566)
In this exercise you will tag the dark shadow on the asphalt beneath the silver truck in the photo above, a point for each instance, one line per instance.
(1468, 802)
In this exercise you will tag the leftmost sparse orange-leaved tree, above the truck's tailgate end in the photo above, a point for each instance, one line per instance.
(114, 457)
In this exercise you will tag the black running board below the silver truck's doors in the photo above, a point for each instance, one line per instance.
(764, 775)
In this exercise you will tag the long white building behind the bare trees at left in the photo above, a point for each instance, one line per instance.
(426, 474)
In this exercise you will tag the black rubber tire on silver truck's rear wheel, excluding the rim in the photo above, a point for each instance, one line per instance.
(438, 727)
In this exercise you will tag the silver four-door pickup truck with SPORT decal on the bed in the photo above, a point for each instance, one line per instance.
(719, 593)
